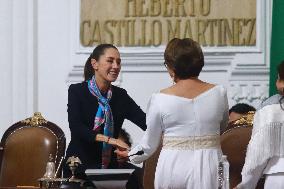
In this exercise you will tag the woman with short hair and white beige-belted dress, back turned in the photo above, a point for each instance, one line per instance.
(189, 115)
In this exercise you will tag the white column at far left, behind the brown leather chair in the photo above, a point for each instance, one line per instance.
(17, 61)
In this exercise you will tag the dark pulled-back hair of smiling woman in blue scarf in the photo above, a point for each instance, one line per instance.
(97, 52)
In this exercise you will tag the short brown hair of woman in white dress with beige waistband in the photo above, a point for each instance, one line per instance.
(184, 57)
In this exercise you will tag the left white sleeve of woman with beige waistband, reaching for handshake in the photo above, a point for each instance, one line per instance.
(152, 136)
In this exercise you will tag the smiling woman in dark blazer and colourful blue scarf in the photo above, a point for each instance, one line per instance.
(96, 111)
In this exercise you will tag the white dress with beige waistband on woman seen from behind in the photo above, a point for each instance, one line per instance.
(183, 163)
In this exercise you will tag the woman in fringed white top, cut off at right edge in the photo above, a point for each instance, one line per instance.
(265, 153)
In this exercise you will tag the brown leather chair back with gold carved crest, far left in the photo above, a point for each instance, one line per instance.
(25, 149)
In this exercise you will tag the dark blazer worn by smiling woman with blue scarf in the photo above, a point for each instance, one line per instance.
(82, 109)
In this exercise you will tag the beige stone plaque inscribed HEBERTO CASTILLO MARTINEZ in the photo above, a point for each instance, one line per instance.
(154, 22)
